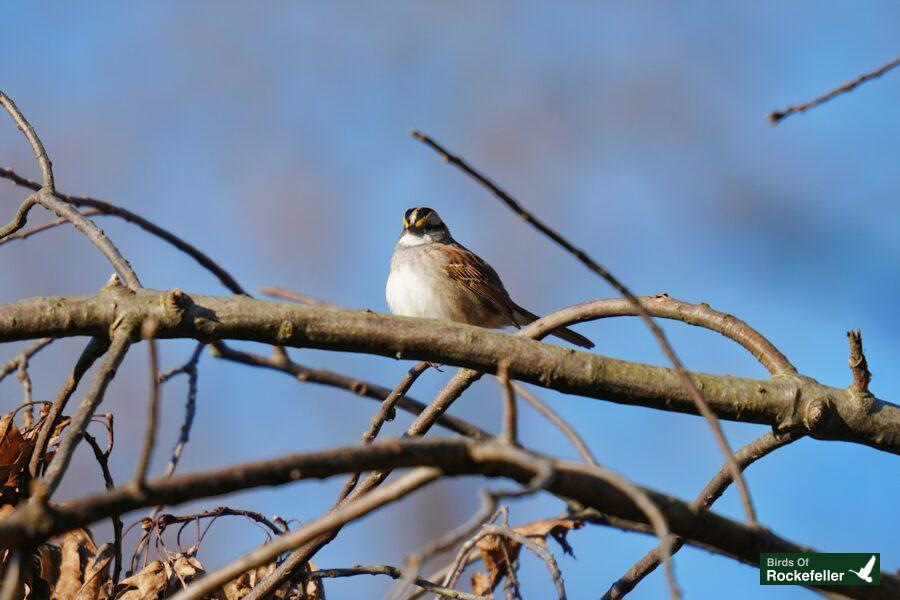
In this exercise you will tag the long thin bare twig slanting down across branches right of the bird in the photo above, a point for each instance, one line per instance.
(582, 256)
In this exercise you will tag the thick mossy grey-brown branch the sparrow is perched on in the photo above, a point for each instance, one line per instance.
(786, 402)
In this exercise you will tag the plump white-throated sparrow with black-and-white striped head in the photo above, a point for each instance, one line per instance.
(433, 276)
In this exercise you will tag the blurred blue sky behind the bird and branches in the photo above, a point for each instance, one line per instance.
(276, 140)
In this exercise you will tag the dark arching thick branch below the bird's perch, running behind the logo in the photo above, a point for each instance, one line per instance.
(454, 457)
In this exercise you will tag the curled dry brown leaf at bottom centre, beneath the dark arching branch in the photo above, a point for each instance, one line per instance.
(497, 552)
